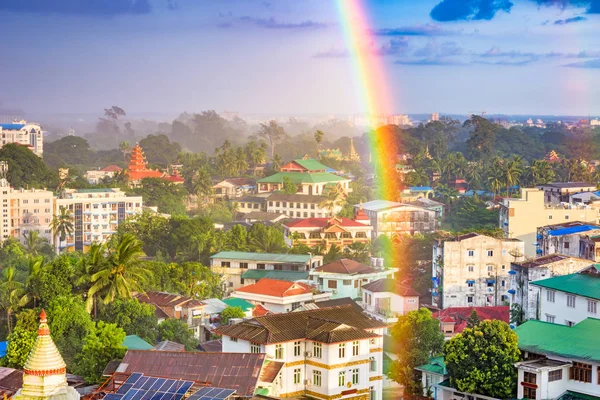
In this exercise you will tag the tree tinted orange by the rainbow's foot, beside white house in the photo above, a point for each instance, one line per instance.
(418, 338)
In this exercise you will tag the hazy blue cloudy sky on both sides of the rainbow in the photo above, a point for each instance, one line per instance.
(290, 57)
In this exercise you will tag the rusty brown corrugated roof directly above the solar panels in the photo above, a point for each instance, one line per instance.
(239, 371)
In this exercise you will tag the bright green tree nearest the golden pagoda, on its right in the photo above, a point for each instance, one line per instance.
(102, 344)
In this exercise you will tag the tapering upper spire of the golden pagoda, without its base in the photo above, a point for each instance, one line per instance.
(44, 359)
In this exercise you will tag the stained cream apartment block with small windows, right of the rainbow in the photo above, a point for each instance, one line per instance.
(472, 270)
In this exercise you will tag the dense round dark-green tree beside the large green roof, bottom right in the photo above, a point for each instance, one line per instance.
(481, 360)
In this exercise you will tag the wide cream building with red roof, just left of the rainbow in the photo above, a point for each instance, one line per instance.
(337, 231)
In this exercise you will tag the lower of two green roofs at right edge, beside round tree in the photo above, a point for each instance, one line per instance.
(579, 341)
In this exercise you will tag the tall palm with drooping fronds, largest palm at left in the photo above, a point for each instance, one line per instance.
(119, 272)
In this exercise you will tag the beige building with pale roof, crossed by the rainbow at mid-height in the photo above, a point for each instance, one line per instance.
(391, 218)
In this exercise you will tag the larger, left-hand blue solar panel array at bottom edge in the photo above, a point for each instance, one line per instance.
(140, 387)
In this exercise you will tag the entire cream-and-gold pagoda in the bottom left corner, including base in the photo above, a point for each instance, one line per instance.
(45, 372)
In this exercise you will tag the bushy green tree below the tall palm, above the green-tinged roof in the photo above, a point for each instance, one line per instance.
(133, 317)
